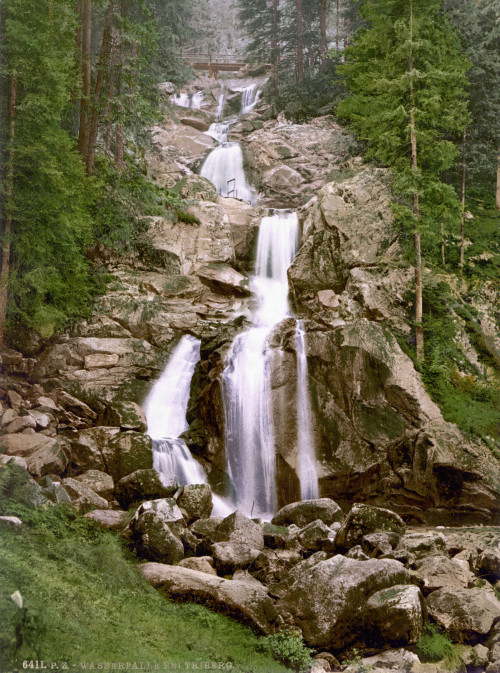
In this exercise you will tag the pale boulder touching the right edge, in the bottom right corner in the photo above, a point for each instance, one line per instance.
(466, 614)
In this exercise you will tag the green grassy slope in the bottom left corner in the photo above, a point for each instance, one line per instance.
(84, 601)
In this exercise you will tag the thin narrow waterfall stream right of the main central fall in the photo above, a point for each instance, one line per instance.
(306, 469)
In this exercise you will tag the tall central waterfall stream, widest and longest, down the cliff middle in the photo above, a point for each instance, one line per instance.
(250, 447)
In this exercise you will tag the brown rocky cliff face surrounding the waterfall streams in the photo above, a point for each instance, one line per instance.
(378, 435)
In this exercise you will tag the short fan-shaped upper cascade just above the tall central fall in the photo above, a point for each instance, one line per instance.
(224, 168)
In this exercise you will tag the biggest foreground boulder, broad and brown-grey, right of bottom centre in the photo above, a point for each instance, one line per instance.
(327, 601)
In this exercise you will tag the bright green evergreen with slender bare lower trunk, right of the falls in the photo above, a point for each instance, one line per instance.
(407, 78)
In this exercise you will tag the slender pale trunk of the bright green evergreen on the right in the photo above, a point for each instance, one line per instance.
(419, 333)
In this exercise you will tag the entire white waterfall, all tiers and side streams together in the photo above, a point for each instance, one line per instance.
(249, 428)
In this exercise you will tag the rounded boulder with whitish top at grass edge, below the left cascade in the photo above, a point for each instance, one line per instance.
(156, 531)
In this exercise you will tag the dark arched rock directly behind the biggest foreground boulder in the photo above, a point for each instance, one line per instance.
(365, 519)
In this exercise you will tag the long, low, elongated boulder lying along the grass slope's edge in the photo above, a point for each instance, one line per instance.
(249, 603)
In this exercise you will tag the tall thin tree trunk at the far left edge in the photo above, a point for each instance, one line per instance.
(7, 224)
